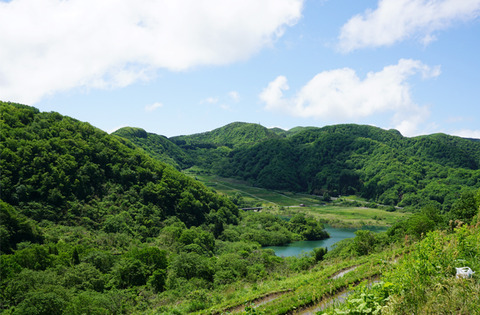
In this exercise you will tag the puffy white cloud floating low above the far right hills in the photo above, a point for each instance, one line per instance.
(340, 94)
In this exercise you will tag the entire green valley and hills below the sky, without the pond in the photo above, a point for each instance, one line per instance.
(137, 223)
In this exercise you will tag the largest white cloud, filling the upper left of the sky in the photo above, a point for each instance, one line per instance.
(53, 45)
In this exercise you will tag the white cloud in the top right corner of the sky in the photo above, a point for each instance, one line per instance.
(396, 20)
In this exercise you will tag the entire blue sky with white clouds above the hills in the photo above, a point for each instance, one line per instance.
(178, 67)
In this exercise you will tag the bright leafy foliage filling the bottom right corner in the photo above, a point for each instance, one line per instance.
(424, 281)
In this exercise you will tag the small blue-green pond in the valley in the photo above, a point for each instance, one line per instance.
(336, 235)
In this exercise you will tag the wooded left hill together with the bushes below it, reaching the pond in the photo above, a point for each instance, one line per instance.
(90, 223)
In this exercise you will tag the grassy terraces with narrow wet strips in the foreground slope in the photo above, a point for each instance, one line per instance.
(310, 292)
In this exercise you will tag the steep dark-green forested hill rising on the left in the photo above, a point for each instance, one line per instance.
(64, 171)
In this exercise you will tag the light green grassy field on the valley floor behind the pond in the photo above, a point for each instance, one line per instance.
(338, 213)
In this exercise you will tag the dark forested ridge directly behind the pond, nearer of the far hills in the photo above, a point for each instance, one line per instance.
(368, 161)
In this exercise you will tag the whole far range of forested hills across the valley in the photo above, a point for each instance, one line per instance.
(380, 165)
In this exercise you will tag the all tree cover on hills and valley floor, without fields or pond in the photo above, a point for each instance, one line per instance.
(105, 224)
